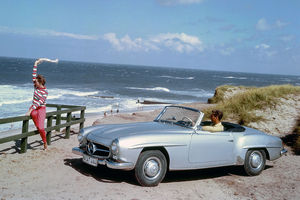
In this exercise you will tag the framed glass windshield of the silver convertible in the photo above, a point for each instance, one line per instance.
(181, 116)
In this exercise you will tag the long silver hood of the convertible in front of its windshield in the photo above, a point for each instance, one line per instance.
(112, 131)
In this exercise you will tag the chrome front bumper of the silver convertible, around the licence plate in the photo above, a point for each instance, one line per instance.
(109, 163)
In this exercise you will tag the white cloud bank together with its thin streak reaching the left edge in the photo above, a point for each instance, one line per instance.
(179, 42)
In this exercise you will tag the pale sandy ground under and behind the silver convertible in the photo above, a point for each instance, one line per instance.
(59, 174)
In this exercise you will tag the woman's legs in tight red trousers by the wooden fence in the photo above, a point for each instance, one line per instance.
(38, 117)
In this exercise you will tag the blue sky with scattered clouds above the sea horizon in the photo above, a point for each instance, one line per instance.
(233, 35)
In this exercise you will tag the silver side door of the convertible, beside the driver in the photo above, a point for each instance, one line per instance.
(211, 148)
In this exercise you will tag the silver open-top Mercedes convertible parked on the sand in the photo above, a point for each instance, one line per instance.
(175, 141)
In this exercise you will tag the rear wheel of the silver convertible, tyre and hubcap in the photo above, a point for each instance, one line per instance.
(255, 162)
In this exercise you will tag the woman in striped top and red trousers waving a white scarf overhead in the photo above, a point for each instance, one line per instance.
(38, 108)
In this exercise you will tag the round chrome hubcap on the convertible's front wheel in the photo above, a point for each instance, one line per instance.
(152, 167)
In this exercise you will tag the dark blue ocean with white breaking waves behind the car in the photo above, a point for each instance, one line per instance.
(102, 87)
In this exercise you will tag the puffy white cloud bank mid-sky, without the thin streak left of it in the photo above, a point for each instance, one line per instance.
(179, 42)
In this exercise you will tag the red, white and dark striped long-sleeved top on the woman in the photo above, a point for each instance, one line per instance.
(40, 94)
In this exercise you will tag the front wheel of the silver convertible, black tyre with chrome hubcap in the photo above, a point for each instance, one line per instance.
(151, 168)
